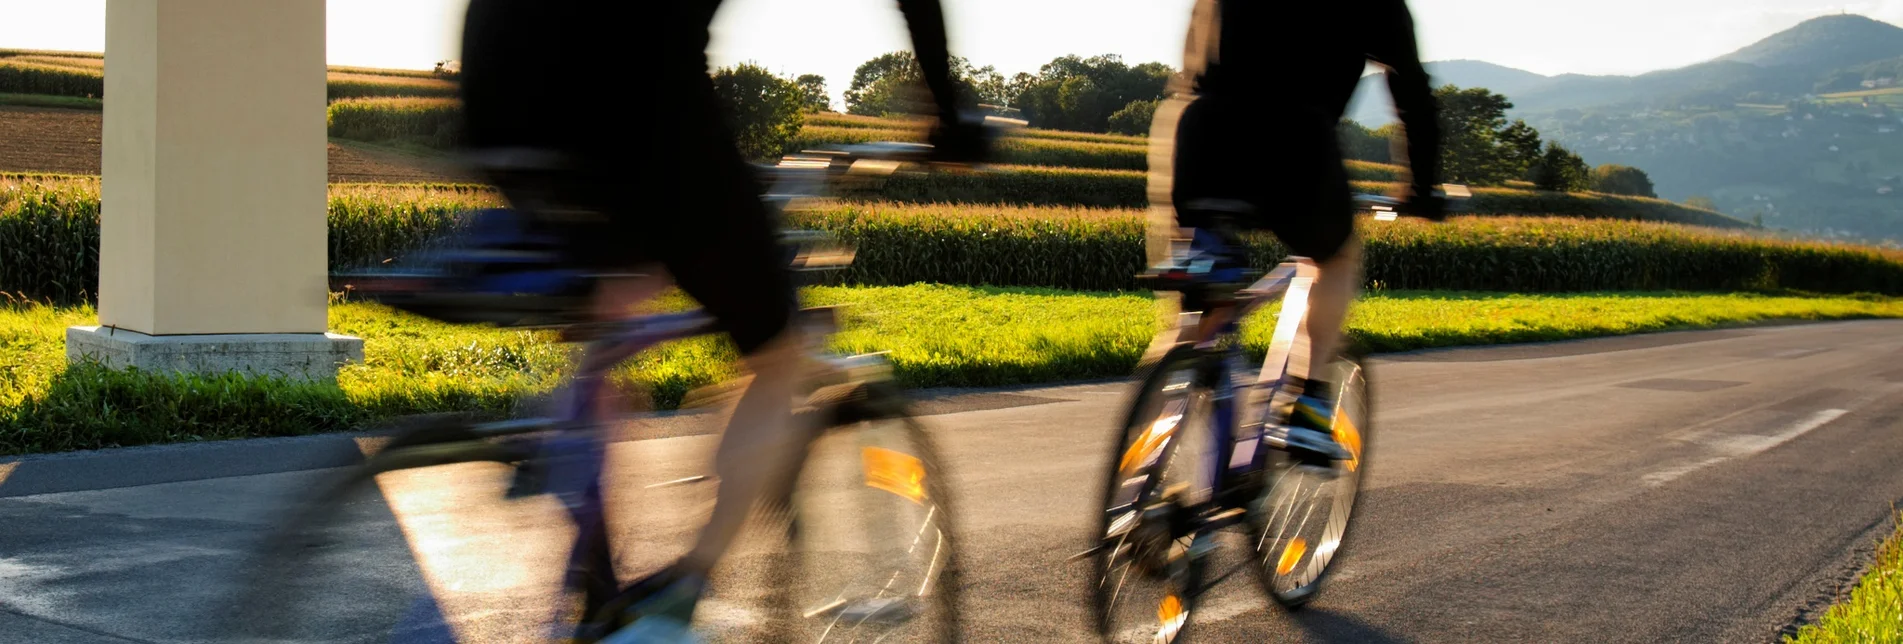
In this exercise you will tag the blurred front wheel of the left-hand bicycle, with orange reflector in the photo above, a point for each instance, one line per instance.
(873, 529)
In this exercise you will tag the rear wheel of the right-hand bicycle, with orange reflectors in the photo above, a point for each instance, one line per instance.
(1143, 578)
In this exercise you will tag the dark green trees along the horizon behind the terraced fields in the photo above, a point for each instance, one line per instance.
(1103, 94)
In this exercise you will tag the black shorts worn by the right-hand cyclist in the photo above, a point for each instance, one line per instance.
(1285, 171)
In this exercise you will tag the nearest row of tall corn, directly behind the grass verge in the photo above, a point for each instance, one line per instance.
(50, 247)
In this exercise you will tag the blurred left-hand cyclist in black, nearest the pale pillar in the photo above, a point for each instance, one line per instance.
(657, 188)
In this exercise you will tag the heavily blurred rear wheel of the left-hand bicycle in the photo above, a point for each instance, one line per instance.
(391, 552)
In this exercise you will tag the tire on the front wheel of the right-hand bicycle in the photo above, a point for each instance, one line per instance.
(1352, 392)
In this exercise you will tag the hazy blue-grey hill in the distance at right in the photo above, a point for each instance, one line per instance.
(1803, 131)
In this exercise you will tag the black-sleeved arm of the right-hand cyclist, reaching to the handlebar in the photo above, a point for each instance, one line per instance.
(1407, 81)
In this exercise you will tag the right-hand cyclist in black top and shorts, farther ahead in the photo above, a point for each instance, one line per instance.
(1249, 140)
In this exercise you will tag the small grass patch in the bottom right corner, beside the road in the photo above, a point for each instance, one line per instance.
(1875, 607)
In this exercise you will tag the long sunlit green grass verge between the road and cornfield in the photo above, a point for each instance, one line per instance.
(937, 336)
